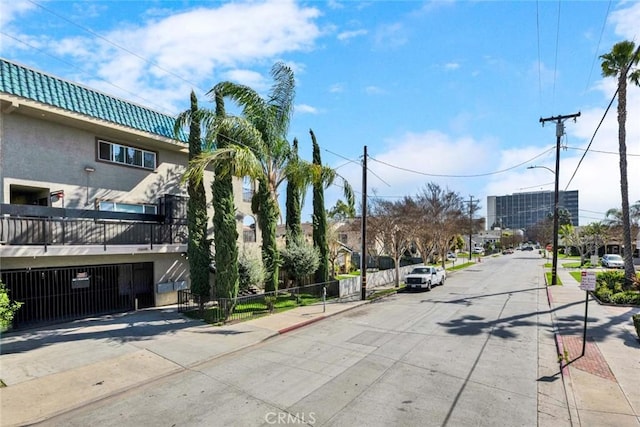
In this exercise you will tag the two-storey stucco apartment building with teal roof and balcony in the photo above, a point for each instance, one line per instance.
(92, 206)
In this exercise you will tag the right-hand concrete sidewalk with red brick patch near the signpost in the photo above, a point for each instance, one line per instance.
(603, 385)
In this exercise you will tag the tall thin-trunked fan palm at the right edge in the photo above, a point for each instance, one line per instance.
(620, 63)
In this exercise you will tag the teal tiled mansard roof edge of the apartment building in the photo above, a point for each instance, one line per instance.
(37, 86)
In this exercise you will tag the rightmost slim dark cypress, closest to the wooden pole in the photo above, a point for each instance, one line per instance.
(319, 215)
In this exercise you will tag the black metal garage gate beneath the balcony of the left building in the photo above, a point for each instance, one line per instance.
(58, 294)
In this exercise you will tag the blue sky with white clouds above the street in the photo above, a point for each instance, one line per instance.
(449, 92)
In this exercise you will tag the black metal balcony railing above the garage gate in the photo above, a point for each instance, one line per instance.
(44, 226)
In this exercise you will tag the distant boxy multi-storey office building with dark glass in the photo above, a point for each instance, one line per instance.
(523, 210)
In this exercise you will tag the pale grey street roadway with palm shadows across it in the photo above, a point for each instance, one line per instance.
(464, 354)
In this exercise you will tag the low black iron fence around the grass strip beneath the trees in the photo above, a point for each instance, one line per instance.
(246, 307)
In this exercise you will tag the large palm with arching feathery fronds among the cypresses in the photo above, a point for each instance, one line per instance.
(257, 148)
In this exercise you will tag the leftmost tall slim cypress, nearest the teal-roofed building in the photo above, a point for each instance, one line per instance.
(198, 246)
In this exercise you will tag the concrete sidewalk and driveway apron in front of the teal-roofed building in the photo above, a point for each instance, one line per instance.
(52, 370)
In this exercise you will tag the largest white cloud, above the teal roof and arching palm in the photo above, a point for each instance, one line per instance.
(193, 49)
